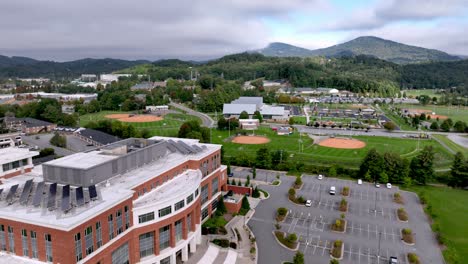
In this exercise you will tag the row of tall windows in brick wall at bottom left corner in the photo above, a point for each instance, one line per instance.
(24, 242)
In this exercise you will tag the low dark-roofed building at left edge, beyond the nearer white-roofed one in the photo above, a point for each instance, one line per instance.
(28, 125)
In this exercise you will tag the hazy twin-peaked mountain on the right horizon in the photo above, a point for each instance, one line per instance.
(371, 46)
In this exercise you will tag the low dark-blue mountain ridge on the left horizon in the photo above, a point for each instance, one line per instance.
(23, 67)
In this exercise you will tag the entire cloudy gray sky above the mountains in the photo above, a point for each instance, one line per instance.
(200, 29)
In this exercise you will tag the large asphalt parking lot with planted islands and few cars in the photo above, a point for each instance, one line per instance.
(372, 233)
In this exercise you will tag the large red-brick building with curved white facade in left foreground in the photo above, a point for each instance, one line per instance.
(133, 201)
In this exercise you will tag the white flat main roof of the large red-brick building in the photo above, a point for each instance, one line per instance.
(119, 190)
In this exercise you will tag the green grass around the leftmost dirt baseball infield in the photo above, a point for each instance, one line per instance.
(167, 127)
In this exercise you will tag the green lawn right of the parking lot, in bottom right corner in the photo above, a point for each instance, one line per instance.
(450, 207)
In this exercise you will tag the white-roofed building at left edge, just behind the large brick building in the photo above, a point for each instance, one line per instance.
(15, 161)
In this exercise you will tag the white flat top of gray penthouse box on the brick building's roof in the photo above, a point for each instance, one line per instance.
(83, 160)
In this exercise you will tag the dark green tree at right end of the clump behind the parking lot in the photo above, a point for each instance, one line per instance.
(422, 166)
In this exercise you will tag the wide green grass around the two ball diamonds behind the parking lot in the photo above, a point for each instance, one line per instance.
(314, 154)
